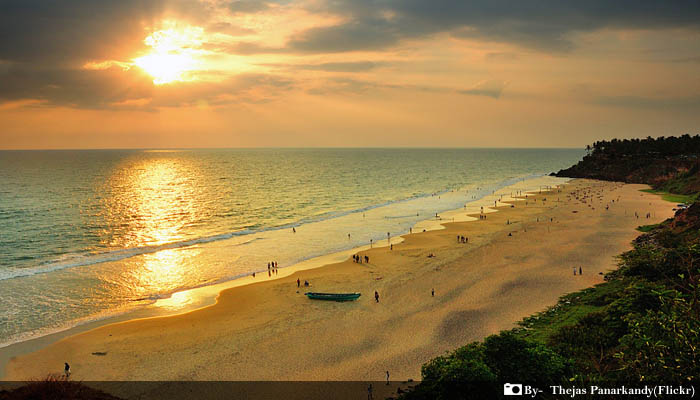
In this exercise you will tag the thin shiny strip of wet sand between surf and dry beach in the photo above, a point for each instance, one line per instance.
(196, 298)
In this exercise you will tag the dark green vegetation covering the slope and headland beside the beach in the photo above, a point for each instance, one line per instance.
(642, 326)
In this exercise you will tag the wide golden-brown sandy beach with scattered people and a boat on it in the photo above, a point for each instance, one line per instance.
(271, 331)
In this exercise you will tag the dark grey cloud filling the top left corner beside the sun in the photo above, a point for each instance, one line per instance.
(70, 32)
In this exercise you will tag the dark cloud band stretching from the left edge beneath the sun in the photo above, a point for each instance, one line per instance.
(115, 88)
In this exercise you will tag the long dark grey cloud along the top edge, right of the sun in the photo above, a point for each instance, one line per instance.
(543, 24)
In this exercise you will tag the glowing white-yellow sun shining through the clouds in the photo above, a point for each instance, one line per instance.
(174, 54)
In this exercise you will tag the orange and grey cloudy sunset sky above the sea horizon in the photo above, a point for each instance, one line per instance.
(345, 73)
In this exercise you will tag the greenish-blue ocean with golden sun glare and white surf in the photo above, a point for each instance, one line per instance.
(90, 234)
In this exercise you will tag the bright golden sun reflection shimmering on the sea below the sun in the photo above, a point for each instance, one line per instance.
(153, 202)
